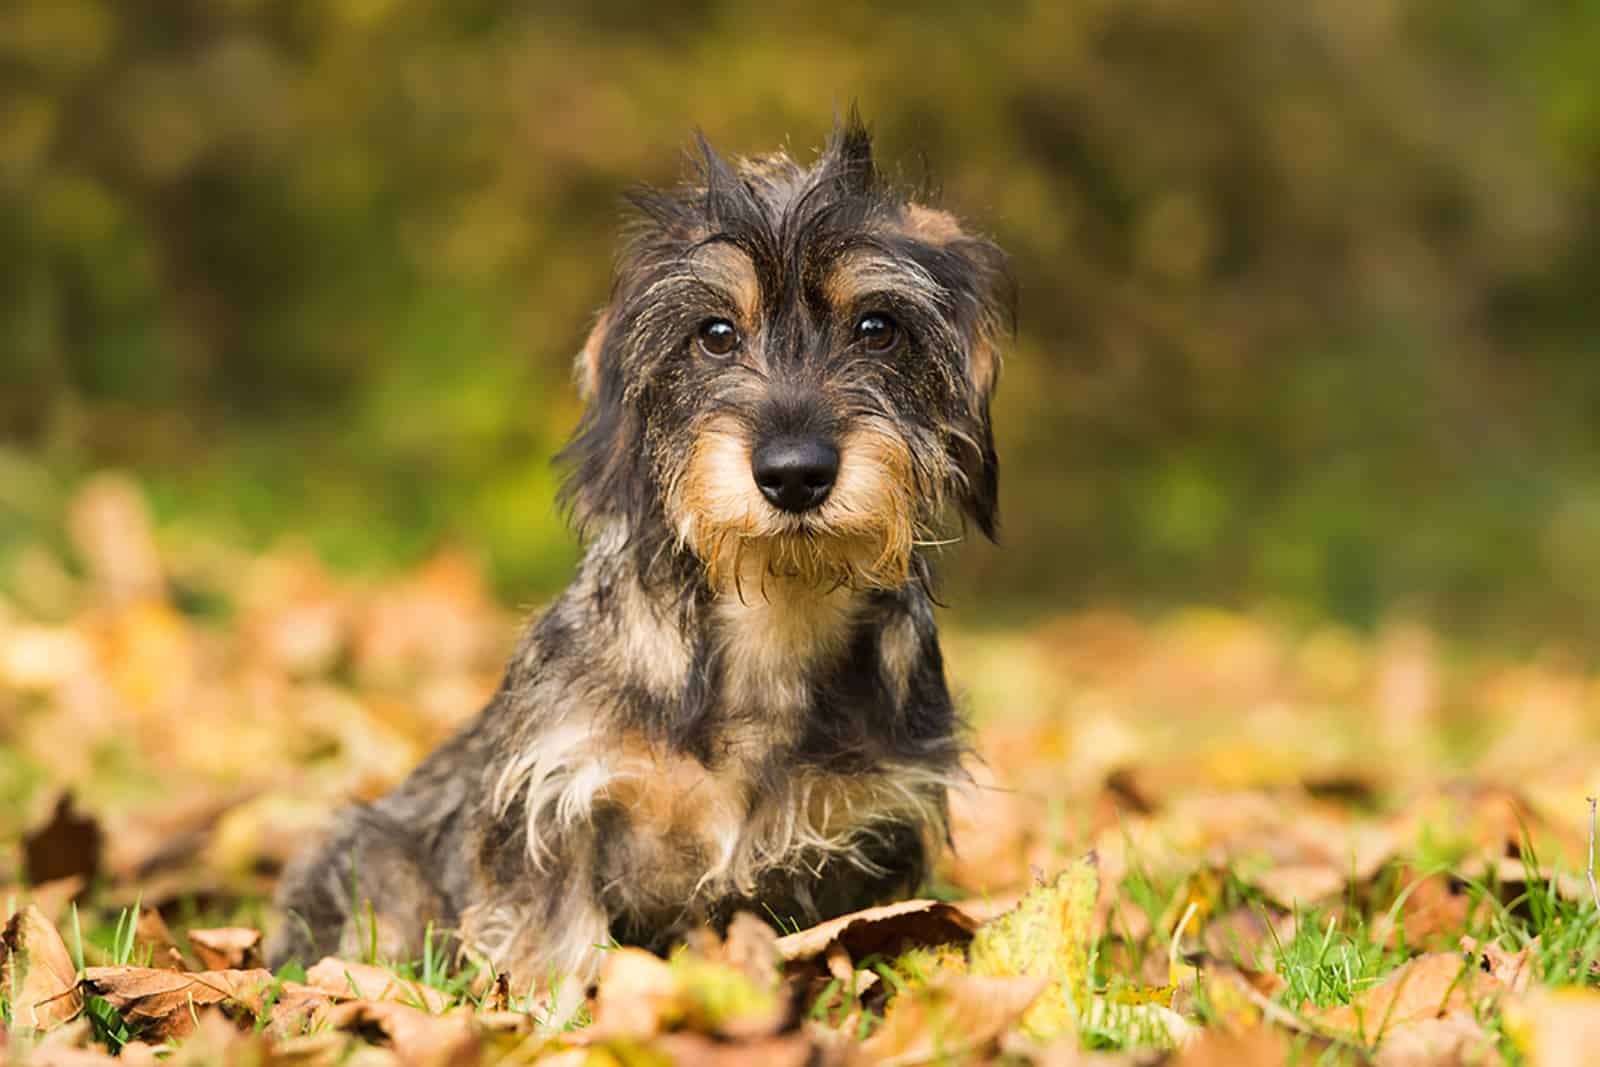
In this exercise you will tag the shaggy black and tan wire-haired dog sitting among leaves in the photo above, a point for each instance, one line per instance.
(740, 703)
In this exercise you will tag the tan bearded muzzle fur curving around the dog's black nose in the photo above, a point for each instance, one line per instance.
(860, 537)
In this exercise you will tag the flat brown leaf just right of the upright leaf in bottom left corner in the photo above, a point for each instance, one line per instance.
(167, 1002)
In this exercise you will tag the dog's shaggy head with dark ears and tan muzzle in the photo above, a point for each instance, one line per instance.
(793, 377)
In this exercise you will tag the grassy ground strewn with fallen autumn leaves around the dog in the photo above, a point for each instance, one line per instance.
(1194, 839)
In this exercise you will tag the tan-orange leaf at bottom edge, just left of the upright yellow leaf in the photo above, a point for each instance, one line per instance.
(950, 1017)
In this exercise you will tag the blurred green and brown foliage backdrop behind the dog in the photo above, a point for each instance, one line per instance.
(1308, 290)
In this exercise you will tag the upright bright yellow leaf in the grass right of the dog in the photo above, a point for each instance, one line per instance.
(1049, 935)
